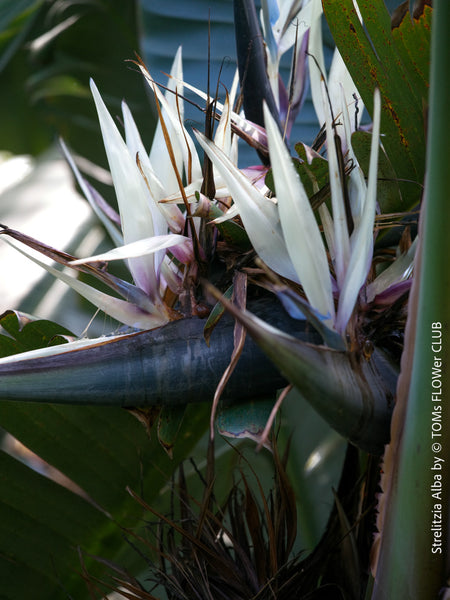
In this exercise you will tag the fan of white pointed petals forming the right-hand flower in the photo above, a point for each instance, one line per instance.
(285, 233)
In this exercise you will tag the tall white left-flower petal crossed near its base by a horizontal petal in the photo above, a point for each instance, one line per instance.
(132, 196)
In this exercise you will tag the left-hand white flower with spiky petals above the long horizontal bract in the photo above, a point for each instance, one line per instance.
(145, 228)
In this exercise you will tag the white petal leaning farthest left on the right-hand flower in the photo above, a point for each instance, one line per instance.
(259, 215)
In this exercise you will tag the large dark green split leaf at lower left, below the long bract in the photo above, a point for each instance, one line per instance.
(42, 525)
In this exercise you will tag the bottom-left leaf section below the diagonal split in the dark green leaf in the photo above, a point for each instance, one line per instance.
(41, 525)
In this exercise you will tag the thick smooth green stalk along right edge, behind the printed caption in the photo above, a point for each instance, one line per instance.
(414, 549)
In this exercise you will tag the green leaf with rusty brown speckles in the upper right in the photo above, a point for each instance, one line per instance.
(376, 56)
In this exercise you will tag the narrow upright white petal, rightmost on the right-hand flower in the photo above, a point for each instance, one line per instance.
(362, 250)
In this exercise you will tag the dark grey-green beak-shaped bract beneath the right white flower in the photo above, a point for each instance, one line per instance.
(354, 394)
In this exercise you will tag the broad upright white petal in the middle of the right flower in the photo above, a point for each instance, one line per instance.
(301, 232)
